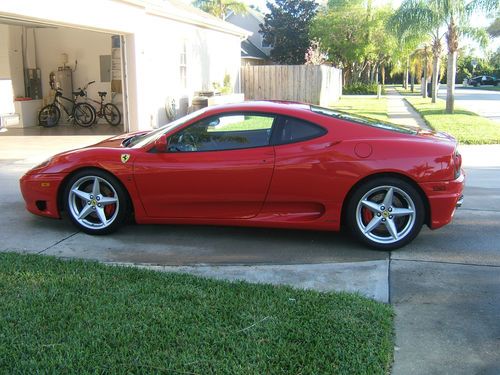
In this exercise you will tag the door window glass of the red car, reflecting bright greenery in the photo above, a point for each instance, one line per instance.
(224, 132)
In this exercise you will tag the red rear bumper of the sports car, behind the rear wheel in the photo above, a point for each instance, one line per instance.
(444, 197)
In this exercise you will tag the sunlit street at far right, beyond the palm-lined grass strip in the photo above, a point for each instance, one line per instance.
(485, 103)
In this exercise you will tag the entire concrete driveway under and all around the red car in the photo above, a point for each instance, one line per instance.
(445, 286)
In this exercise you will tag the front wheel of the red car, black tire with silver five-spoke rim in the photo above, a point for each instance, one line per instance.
(104, 210)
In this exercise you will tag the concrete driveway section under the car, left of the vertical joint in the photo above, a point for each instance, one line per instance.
(320, 260)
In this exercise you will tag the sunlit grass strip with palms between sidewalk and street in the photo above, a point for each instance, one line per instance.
(467, 127)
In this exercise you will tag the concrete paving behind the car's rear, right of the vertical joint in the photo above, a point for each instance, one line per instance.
(445, 286)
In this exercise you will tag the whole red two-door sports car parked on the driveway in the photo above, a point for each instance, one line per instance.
(267, 164)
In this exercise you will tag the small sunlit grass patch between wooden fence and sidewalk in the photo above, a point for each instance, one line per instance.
(368, 107)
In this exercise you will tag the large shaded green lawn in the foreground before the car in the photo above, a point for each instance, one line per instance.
(61, 316)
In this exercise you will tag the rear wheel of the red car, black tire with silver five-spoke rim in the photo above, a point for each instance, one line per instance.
(404, 217)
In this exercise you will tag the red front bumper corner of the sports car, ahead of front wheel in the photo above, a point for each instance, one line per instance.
(40, 193)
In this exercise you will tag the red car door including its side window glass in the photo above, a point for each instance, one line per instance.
(217, 168)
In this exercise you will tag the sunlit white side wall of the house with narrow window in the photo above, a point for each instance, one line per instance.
(210, 56)
